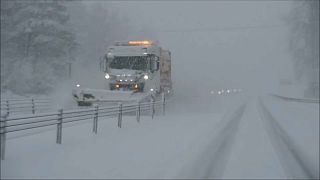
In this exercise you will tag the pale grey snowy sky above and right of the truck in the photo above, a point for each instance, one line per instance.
(207, 46)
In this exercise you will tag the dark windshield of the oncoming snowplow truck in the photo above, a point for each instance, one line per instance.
(129, 62)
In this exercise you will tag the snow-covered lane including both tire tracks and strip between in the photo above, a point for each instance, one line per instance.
(251, 144)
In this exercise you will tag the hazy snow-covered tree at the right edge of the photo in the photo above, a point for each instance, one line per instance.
(305, 43)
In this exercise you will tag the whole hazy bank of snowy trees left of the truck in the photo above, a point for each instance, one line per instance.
(37, 41)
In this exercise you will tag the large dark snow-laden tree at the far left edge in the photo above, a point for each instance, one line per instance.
(37, 42)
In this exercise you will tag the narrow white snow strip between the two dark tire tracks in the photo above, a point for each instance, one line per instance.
(253, 155)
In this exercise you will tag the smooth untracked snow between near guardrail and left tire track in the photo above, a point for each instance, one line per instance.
(156, 148)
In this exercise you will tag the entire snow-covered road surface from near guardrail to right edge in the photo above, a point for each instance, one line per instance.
(234, 142)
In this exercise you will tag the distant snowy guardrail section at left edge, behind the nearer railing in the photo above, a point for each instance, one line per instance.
(30, 105)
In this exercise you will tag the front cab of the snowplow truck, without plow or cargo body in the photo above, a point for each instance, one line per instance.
(132, 66)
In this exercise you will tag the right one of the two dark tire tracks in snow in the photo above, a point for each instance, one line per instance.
(291, 157)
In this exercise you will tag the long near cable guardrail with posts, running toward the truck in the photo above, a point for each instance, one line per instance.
(15, 124)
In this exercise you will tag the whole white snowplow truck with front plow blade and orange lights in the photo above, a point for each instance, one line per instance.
(133, 70)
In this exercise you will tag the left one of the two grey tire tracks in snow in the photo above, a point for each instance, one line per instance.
(212, 161)
